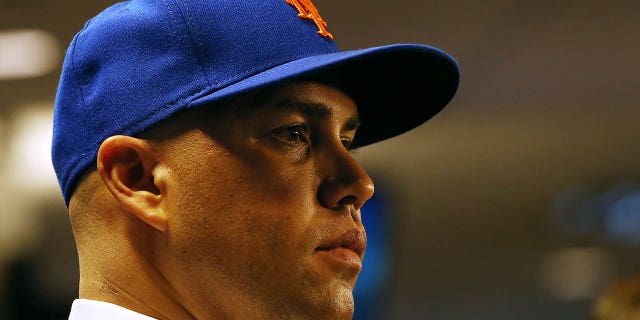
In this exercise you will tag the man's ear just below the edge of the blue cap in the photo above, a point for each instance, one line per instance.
(130, 170)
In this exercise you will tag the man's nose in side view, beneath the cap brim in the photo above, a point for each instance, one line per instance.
(345, 184)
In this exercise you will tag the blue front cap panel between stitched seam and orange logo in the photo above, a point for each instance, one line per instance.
(243, 38)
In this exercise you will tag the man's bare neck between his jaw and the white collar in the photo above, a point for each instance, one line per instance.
(121, 270)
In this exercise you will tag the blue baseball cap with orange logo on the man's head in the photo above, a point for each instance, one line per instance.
(139, 62)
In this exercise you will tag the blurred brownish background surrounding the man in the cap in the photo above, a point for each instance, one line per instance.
(521, 200)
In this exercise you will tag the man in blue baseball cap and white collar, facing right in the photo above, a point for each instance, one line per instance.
(203, 148)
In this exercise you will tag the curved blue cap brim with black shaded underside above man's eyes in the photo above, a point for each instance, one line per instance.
(396, 87)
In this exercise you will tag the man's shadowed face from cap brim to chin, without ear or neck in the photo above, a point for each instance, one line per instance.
(264, 208)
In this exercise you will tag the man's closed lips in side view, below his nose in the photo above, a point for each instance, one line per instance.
(347, 249)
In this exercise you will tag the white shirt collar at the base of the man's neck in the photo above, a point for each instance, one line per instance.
(84, 309)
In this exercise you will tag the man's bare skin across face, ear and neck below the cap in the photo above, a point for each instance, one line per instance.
(232, 212)
